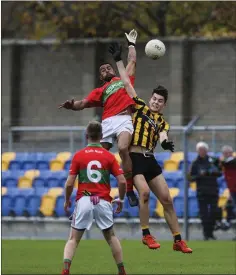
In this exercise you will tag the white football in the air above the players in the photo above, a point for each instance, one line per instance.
(155, 49)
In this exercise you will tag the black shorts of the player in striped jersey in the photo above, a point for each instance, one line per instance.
(146, 166)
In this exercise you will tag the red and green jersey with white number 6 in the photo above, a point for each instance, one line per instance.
(93, 165)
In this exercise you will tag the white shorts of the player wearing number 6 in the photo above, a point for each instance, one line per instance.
(85, 212)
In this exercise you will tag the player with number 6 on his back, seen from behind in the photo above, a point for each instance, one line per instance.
(93, 166)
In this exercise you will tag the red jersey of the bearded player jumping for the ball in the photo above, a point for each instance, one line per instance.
(112, 96)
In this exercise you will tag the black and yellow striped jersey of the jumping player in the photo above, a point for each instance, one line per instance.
(147, 126)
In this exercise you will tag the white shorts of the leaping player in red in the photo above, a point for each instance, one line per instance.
(113, 126)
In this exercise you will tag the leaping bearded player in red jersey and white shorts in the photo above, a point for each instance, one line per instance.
(117, 110)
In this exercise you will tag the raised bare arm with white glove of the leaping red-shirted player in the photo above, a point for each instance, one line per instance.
(131, 60)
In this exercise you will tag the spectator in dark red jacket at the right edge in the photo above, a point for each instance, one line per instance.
(228, 163)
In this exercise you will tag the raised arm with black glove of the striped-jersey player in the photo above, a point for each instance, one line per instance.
(115, 49)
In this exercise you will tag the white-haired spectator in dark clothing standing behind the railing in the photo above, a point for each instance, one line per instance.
(205, 171)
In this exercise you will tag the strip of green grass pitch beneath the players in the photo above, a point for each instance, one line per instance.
(94, 257)
